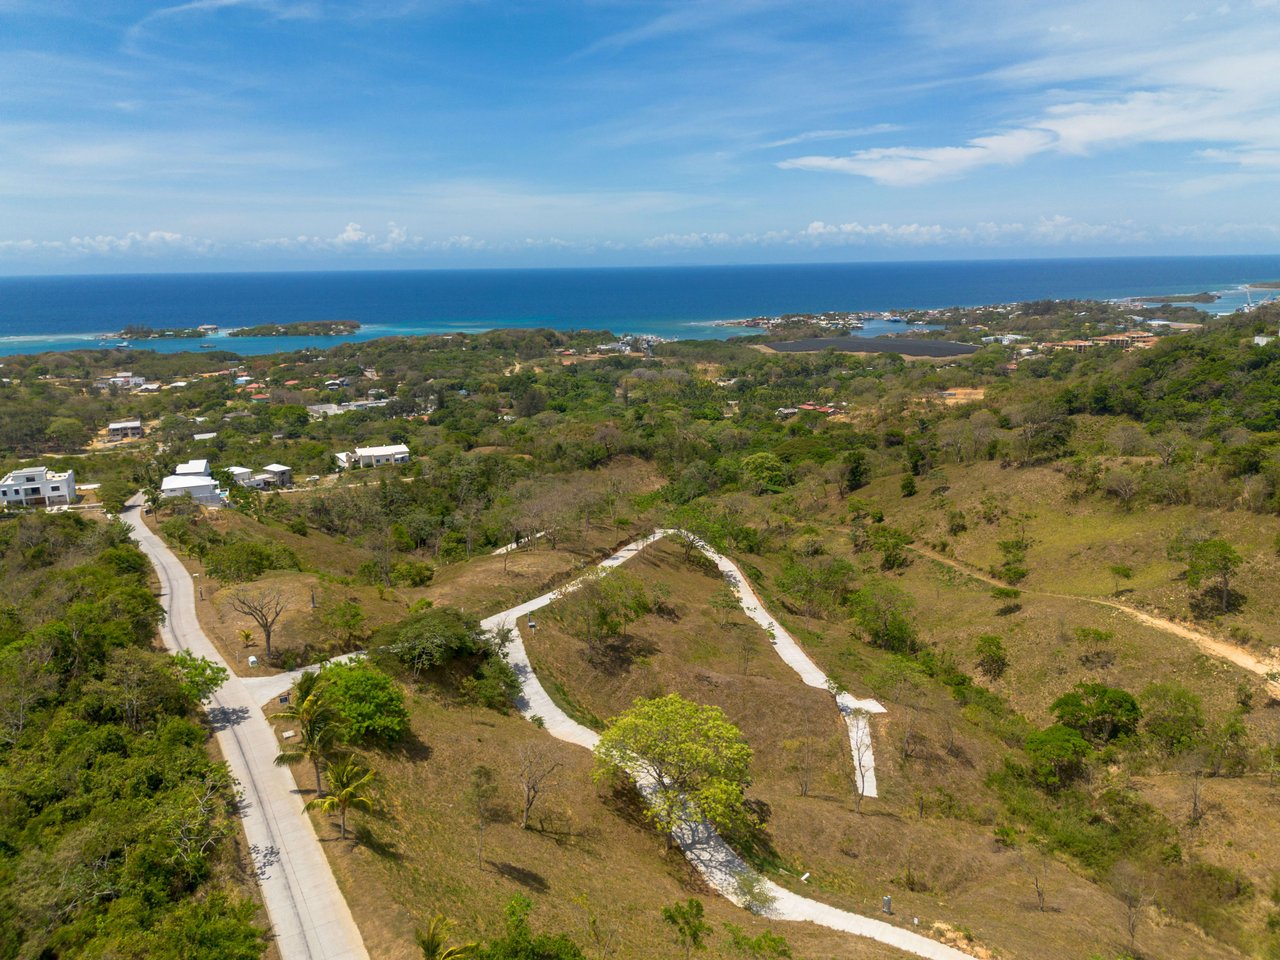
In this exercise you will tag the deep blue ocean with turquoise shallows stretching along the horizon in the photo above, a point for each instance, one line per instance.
(71, 313)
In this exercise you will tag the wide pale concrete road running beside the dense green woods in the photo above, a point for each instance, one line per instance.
(310, 918)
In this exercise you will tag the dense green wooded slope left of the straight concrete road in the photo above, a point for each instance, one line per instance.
(115, 822)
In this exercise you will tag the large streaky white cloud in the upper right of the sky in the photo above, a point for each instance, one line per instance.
(1089, 93)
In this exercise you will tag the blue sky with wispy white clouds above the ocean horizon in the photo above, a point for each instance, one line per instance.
(394, 134)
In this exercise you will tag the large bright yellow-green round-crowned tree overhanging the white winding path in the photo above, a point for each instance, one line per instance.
(697, 764)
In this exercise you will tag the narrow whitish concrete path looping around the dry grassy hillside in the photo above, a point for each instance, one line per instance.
(714, 858)
